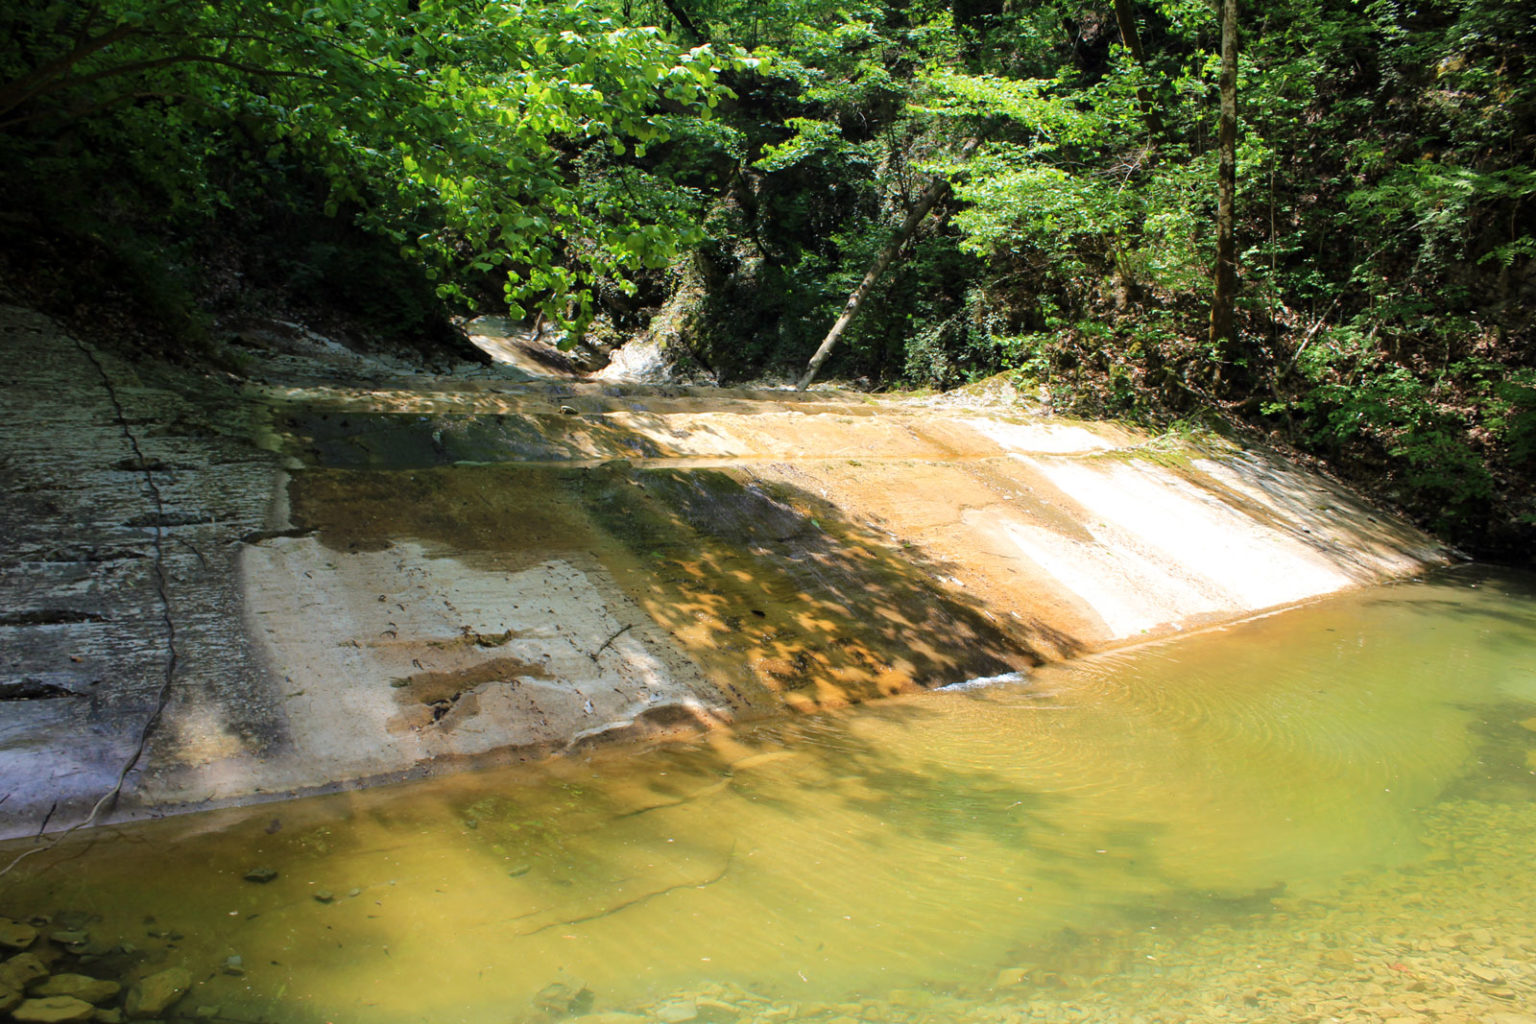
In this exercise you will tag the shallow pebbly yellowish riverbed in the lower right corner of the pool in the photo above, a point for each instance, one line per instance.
(1449, 940)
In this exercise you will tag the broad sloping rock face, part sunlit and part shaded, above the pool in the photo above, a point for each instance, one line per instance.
(339, 573)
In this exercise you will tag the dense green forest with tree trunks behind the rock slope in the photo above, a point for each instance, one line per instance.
(1024, 188)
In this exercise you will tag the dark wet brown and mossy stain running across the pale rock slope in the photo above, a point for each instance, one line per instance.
(778, 595)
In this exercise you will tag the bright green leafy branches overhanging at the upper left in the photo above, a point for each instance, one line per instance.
(449, 128)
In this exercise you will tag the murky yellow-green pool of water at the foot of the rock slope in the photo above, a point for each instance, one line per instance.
(1328, 813)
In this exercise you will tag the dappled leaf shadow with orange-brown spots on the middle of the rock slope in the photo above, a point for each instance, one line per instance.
(776, 590)
